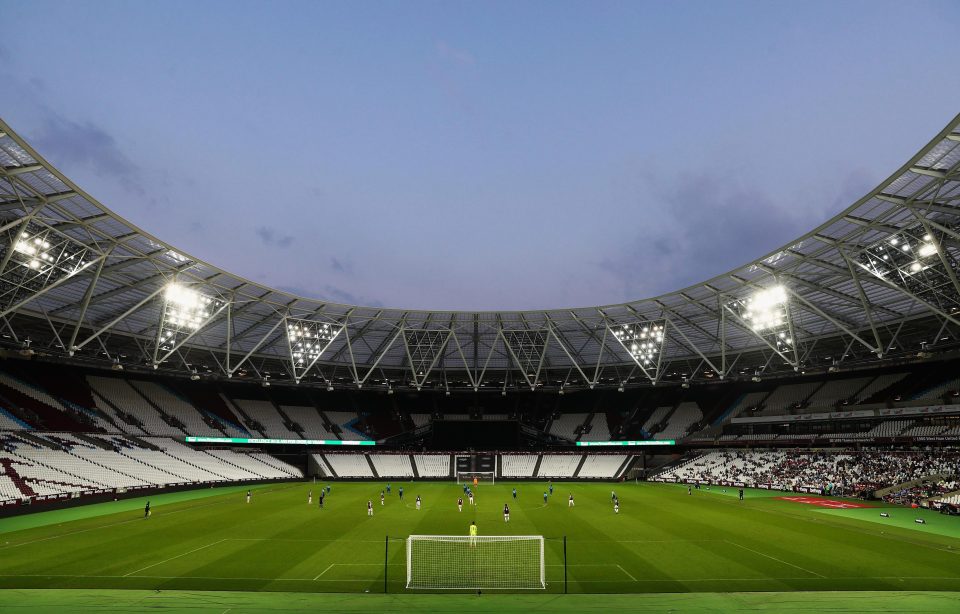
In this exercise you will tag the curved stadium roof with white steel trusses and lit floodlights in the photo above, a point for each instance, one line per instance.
(879, 280)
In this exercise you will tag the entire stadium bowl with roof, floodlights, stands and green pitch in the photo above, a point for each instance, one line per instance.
(784, 436)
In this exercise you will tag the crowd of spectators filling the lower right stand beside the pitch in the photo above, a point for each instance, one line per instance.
(850, 473)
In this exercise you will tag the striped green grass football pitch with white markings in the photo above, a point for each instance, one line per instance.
(662, 541)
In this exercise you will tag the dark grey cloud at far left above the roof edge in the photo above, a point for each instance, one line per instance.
(86, 144)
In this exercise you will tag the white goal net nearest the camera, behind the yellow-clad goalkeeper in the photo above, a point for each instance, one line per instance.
(449, 562)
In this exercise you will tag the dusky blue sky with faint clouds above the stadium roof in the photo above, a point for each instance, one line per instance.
(485, 155)
